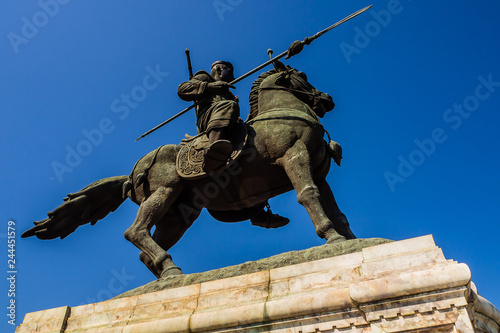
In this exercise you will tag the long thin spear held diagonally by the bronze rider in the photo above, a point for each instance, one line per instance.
(294, 49)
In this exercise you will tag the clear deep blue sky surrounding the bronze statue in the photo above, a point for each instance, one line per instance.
(417, 88)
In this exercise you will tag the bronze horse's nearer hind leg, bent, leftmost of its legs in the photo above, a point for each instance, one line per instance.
(151, 211)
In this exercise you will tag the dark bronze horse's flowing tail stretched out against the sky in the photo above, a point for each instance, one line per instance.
(88, 205)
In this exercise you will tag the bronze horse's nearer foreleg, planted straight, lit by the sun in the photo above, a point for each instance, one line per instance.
(297, 165)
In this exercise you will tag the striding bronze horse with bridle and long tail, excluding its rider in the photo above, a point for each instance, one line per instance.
(284, 150)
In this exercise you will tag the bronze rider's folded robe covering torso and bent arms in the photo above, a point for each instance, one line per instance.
(212, 111)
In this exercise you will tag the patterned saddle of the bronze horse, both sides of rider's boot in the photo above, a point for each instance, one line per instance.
(190, 158)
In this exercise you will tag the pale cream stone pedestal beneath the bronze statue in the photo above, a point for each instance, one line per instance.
(405, 286)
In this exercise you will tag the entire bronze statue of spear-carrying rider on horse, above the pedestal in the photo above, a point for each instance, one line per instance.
(230, 168)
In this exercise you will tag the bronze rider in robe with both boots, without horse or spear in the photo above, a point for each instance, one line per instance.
(217, 111)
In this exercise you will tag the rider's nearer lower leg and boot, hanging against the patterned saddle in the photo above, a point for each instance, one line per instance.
(218, 152)
